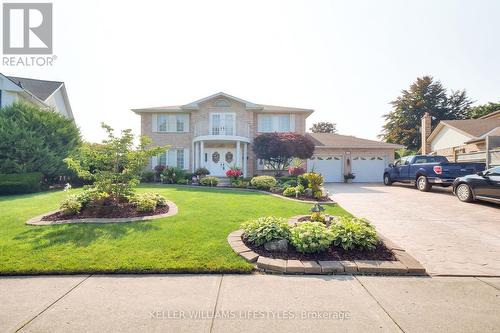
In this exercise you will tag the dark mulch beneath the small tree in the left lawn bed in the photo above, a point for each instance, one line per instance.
(120, 210)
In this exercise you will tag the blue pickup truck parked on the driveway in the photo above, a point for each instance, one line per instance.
(424, 171)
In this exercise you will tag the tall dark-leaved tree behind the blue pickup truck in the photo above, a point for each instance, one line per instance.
(402, 124)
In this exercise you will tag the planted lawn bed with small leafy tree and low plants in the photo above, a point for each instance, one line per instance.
(113, 167)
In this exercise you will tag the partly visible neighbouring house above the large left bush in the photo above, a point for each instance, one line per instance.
(42, 93)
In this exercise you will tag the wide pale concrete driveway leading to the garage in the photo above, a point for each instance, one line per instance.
(447, 236)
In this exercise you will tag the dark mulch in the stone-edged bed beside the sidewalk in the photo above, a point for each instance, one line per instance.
(333, 253)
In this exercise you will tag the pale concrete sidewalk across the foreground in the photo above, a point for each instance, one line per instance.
(248, 303)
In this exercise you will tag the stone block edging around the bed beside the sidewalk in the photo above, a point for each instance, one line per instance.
(404, 265)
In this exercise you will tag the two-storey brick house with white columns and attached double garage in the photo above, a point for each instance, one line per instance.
(217, 132)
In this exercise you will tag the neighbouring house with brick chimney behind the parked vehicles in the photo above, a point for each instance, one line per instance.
(462, 140)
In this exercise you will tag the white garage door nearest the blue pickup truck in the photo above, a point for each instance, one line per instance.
(368, 169)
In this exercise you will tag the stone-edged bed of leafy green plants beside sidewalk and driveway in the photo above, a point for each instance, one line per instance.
(320, 244)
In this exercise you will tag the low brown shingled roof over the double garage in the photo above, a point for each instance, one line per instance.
(332, 140)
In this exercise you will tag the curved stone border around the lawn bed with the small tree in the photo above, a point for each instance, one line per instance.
(172, 210)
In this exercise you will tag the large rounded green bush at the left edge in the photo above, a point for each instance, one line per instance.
(35, 140)
